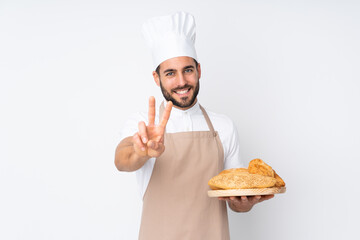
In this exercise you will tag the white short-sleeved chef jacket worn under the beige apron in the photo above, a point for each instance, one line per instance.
(191, 119)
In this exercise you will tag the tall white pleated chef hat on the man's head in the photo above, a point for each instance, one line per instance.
(170, 36)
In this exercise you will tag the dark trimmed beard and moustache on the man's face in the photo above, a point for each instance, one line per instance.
(184, 102)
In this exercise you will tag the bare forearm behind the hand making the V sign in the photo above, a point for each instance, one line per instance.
(126, 159)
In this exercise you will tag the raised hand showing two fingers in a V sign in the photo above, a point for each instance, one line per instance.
(149, 140)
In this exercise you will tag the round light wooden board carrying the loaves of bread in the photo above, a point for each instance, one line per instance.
(246, 192)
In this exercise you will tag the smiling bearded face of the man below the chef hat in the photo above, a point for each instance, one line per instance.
(179, 81)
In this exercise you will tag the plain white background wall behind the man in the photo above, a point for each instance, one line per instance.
(71, 72)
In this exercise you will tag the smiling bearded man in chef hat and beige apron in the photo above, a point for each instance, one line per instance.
(175, 158)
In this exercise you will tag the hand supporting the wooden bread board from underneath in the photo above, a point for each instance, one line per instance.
(244, 203)
